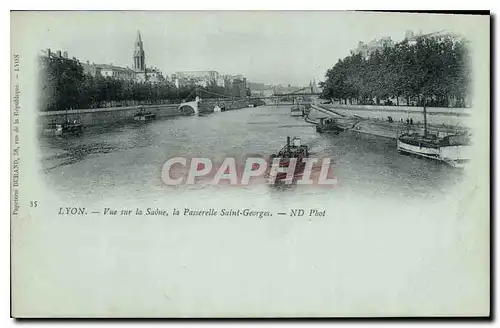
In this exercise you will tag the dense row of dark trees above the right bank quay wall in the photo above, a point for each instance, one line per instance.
(434, 70)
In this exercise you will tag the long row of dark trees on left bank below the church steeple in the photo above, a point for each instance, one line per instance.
(65, 86)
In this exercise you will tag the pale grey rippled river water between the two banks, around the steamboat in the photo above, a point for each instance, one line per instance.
(125, 161)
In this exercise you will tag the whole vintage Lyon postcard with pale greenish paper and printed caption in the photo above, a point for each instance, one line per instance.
(253, 164)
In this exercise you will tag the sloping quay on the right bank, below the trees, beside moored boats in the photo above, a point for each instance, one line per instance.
(379, 125)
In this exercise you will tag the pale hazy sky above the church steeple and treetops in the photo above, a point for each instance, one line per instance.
(273, 47)
